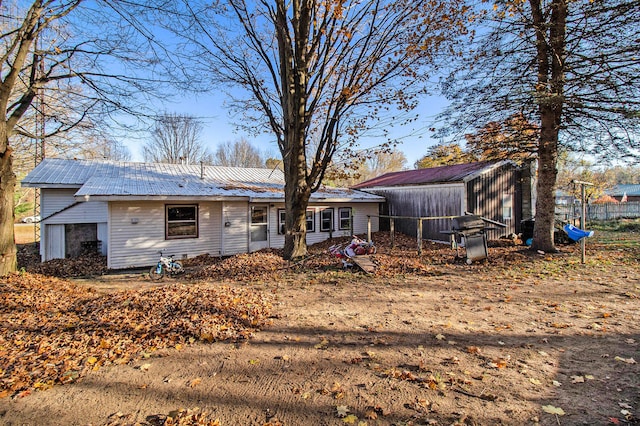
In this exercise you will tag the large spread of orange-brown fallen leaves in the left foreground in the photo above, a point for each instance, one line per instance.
(53, 332)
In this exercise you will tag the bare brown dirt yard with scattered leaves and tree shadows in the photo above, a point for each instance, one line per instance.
(519, 339)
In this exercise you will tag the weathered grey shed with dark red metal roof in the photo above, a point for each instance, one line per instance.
(499, 191)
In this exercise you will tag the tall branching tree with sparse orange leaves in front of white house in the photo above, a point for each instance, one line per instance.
(314, 71)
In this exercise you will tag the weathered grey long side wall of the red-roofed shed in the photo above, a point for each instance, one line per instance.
(424, 201)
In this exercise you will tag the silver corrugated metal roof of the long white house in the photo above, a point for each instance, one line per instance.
(121, 179)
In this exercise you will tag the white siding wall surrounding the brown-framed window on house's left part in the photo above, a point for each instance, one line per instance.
(137, 233)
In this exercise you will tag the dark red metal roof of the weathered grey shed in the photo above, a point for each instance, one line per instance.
(443, 174)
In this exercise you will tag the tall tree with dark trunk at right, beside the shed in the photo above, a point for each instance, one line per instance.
(568, 67)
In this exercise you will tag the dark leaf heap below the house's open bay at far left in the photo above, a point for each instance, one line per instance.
(83, 266)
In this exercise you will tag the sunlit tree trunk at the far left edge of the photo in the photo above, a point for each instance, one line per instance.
(8, 262)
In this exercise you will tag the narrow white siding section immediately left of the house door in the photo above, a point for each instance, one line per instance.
(235, 236)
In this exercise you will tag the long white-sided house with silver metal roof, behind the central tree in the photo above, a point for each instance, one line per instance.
(129, 211)
